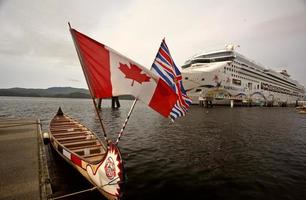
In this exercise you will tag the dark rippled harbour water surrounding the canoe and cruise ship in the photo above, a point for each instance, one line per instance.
(218, 153)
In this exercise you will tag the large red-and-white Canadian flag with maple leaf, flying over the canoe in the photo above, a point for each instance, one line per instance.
(108, 73)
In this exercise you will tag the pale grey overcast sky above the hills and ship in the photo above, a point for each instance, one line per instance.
(36, 49)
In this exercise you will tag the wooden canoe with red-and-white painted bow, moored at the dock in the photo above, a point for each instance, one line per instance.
(98, 162)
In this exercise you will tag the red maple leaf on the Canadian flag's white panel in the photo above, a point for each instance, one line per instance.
(134, 72)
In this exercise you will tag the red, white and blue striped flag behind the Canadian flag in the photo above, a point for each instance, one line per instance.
(165, 67)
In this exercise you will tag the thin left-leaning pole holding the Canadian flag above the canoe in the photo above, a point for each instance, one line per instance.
(76, 45)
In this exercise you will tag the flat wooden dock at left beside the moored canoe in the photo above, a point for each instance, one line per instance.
(23, 169)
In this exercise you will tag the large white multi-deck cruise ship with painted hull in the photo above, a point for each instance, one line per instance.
(226, 76)
